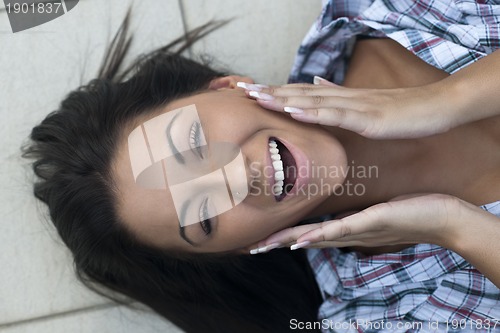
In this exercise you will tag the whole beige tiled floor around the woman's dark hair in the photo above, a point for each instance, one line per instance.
(38, 291)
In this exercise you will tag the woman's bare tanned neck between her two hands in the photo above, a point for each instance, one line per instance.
(380, 170)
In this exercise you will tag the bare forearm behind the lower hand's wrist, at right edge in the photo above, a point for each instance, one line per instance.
(474, 235)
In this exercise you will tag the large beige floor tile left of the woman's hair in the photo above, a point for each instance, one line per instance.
(37, 68)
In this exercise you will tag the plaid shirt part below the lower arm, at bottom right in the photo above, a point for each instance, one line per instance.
(426, 287)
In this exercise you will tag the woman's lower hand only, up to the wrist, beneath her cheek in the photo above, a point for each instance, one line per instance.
(430, 218)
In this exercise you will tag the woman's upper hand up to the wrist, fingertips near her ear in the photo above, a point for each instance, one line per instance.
(373, 113)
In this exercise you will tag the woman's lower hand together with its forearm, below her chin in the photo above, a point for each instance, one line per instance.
(434, 218)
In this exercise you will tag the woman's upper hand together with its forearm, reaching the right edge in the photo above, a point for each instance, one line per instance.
(468, 95)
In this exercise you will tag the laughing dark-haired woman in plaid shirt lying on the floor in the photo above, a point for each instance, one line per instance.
(202, 277)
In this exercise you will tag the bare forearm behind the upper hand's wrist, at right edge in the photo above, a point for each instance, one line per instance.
(473, 92)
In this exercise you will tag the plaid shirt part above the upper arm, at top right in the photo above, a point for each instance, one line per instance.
(447, 34)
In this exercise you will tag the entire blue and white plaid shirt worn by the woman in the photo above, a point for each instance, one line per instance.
(425, 284)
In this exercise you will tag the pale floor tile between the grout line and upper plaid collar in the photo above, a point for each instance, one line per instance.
(262, 39)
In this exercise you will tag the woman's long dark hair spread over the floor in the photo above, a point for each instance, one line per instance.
(72, 150)
